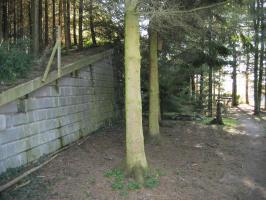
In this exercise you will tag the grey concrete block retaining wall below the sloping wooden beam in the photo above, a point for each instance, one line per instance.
(56, 115)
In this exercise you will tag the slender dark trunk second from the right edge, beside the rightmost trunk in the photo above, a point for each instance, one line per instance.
(256, 58)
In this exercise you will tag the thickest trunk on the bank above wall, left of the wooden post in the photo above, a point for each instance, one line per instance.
(36, 45)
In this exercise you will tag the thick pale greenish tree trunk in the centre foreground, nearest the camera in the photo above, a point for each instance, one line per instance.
(135, 154)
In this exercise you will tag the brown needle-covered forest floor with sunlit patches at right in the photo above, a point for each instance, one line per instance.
(196, 162)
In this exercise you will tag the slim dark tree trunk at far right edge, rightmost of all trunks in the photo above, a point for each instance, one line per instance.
(262, 52)
